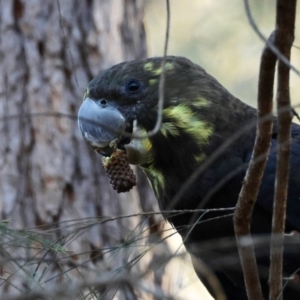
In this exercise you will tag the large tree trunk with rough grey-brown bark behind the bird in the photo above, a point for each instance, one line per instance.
(54, 193)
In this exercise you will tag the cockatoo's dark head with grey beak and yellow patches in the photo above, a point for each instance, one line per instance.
(121, 105)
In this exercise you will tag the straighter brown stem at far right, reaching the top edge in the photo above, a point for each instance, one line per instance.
(285, 23)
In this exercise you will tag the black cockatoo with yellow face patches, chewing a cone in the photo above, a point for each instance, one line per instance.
(198, 116)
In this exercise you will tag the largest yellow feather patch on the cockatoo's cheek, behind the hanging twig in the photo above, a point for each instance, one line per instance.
(183, 117)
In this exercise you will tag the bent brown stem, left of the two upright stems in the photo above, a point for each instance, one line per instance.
(249, 191)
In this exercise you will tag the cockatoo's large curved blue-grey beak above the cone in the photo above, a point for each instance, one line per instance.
(101, 125)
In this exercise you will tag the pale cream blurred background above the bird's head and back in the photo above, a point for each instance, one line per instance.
(217, 36)
